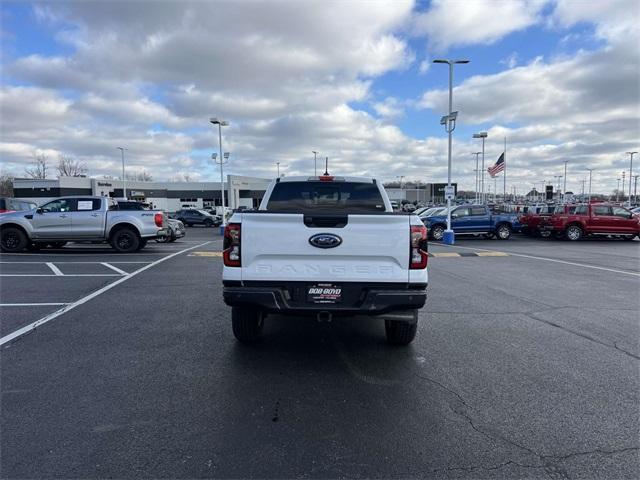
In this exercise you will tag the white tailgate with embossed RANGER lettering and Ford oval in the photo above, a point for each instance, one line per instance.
(370, 248)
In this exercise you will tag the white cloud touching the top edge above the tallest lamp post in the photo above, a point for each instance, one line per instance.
(450, 23)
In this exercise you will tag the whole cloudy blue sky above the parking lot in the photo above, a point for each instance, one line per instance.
(353, 80)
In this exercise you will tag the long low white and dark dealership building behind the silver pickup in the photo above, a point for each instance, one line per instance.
(240, 191)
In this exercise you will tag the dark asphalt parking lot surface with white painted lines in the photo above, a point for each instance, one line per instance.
(525, 366)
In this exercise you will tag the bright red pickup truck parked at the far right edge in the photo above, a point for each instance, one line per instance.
(594, 219)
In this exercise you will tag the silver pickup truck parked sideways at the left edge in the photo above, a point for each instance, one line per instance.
(79, 219)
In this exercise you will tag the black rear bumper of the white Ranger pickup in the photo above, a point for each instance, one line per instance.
(372, 300)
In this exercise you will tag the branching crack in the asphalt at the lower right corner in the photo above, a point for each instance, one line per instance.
(547, 462)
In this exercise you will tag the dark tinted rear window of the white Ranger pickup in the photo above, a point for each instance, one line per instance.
(331, 197)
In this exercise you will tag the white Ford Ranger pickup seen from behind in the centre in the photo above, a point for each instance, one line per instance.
(325, 246)
